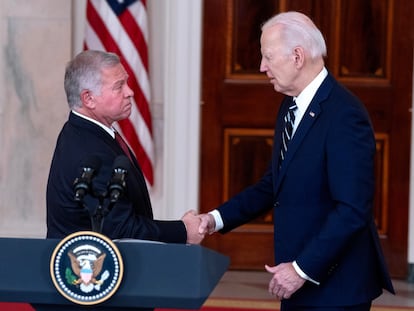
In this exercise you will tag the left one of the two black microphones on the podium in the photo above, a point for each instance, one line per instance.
(89, 168)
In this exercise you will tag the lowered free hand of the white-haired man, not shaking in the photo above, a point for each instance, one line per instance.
(285, 280)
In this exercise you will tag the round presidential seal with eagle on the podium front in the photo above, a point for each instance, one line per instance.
(86, 268)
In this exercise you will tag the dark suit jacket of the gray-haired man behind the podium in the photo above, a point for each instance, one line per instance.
(131, 217)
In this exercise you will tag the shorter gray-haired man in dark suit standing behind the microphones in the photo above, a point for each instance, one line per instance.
(98, 95)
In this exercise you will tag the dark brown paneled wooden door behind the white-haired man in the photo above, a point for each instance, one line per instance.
(370, 46)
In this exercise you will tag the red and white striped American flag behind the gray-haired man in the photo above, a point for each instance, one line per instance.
(120, 26)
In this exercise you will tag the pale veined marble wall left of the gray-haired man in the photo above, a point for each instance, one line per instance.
(35, 45)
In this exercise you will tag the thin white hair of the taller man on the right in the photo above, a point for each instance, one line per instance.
(299, 30)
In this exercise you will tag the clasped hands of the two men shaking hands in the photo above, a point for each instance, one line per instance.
(198, 226)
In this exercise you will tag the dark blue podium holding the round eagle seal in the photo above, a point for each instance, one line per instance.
(156, 275)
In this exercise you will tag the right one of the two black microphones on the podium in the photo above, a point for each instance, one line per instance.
(117, 184)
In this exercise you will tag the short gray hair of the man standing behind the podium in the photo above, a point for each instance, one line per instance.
(84, 72)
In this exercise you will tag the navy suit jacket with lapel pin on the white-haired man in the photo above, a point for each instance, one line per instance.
(322, 198)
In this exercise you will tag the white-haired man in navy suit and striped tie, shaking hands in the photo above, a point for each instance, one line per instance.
(320, 182)
